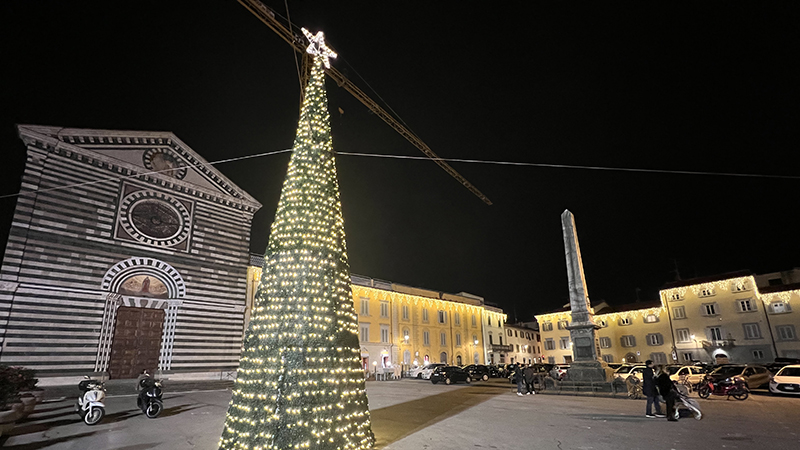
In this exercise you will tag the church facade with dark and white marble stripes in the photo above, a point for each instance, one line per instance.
(127, 251)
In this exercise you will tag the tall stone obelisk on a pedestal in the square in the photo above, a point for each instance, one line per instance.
(586, 364)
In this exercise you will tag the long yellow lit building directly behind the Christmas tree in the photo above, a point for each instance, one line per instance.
(407, 326)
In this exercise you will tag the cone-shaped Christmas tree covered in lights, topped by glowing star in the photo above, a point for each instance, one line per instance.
(300, 383)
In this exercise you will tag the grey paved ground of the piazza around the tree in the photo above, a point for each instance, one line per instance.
(412, 414)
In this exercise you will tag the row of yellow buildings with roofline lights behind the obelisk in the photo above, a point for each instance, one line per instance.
(723, 318)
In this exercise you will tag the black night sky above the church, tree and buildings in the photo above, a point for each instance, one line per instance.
(709, 87)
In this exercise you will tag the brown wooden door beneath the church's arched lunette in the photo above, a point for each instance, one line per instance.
(137, 342)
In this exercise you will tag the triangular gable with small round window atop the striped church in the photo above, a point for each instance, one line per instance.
(157, 154)
